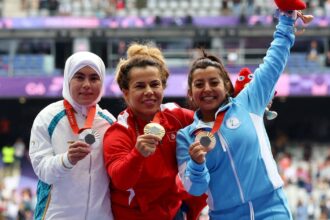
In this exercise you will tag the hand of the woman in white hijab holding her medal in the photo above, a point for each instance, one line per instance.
(78, 150)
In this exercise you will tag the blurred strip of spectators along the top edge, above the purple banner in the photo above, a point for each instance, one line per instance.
(103, 8)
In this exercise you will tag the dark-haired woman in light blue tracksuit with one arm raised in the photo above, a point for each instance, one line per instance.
(229, 157)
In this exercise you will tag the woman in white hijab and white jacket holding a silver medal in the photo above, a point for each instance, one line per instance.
(66, 146)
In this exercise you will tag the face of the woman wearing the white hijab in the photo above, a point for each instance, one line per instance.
(85, 86)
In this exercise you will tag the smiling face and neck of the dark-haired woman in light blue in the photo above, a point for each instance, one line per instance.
(207, 91)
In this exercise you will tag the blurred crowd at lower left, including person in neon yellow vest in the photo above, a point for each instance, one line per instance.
(17, 201)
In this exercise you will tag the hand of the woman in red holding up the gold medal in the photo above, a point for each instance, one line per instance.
(146, 144)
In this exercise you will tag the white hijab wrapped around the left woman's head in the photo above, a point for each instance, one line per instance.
(74, 63)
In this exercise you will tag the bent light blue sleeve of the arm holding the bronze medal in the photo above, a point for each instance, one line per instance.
(195, 177)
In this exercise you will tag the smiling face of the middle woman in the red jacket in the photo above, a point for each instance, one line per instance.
(145, 92)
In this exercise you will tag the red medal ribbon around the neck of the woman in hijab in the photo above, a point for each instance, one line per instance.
(72, 119)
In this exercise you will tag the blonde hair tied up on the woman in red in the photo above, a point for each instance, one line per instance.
(141, 55)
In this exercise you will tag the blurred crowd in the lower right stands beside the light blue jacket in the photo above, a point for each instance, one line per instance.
(306, 173)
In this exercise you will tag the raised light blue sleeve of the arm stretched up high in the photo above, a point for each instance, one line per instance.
(260, 91)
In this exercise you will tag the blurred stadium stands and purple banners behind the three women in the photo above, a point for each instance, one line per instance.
(36, 37)
